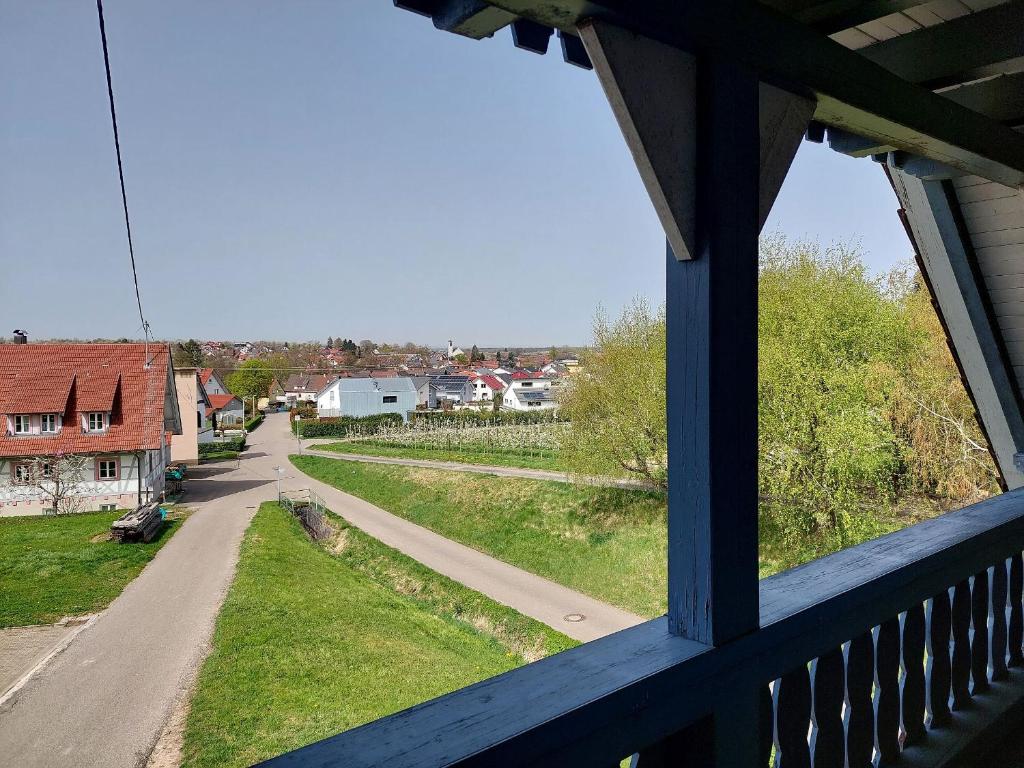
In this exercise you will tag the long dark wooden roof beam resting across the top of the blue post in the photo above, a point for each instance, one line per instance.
(852, 93)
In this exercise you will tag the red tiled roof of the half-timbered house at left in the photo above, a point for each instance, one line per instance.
(87, 377)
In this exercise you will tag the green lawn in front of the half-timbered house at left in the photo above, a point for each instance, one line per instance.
(55, 567)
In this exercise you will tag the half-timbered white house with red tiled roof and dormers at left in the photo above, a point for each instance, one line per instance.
(114, 405)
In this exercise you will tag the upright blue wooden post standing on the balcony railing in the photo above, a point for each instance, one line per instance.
(712, 374)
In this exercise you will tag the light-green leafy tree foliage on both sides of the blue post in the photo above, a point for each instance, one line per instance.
(861, 403)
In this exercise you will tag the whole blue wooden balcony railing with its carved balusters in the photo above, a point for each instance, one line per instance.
(903, 651)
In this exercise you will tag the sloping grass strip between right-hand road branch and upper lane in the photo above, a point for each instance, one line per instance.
(608, 543)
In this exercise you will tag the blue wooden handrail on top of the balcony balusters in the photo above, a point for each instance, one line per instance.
(612, 698)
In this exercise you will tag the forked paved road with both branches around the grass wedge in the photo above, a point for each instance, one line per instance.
(104, 702)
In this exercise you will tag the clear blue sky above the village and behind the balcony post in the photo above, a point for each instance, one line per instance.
(304, 169)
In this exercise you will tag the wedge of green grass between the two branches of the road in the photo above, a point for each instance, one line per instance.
(315, 641)
